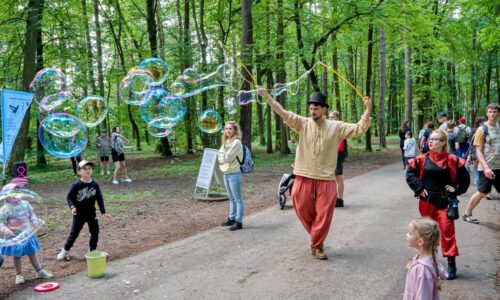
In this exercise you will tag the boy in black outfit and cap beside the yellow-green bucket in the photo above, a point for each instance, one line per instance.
(81, 200)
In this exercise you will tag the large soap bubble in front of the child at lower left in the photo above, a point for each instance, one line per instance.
(23, 212)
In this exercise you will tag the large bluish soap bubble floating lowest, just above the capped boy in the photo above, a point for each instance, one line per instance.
(62, 139)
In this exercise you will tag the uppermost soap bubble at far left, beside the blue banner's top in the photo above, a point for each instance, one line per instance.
(48, 81)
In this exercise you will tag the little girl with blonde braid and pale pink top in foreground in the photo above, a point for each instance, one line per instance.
(425, 273)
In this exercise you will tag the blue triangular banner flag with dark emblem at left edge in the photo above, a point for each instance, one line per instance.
(14, 106)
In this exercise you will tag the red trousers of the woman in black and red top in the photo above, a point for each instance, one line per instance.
(446, 226)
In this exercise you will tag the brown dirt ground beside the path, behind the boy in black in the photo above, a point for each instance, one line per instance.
(166, 213)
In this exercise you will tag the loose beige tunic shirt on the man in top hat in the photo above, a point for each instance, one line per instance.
(316, 155)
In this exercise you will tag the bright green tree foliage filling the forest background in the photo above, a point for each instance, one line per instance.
(440, 34)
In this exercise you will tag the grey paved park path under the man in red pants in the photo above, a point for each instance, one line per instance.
(270, 258)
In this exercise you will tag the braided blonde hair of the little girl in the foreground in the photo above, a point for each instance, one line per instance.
(428, 230)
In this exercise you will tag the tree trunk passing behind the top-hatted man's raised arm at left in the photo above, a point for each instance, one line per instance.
(281, 72)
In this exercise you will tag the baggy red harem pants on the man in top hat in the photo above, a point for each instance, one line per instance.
(314, 201)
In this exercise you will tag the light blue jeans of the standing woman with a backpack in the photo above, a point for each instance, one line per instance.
(233, 184)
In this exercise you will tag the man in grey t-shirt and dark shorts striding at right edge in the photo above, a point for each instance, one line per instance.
(487, 144)
